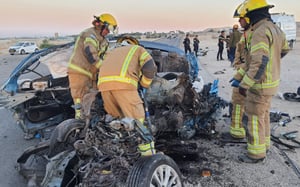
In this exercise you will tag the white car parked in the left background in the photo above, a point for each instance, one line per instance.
(23, 48)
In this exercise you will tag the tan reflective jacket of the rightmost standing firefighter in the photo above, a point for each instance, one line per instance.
(266, 43)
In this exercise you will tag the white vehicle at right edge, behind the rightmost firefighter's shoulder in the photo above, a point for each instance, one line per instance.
(287, 24)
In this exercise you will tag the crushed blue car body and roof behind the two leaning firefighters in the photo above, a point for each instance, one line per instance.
(37, 91)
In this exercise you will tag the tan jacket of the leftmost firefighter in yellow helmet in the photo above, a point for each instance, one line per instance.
(87, 55)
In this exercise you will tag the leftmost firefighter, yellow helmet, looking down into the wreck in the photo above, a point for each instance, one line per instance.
(87, 57)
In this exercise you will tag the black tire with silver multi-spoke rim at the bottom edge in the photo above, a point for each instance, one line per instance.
(154, 171)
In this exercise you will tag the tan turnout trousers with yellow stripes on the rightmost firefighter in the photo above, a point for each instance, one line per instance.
(257, 110)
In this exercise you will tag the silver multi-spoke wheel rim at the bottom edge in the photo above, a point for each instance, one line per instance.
(165, 176)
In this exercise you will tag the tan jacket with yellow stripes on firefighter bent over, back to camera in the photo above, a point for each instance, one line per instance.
(125, 67)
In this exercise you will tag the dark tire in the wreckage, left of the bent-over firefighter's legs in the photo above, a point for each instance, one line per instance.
(65, 135)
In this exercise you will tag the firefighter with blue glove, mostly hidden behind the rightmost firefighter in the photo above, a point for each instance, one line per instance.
(237, 131)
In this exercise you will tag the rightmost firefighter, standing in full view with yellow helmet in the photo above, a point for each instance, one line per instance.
(267, 45)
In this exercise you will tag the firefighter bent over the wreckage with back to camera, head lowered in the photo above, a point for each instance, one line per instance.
(125, 69)
